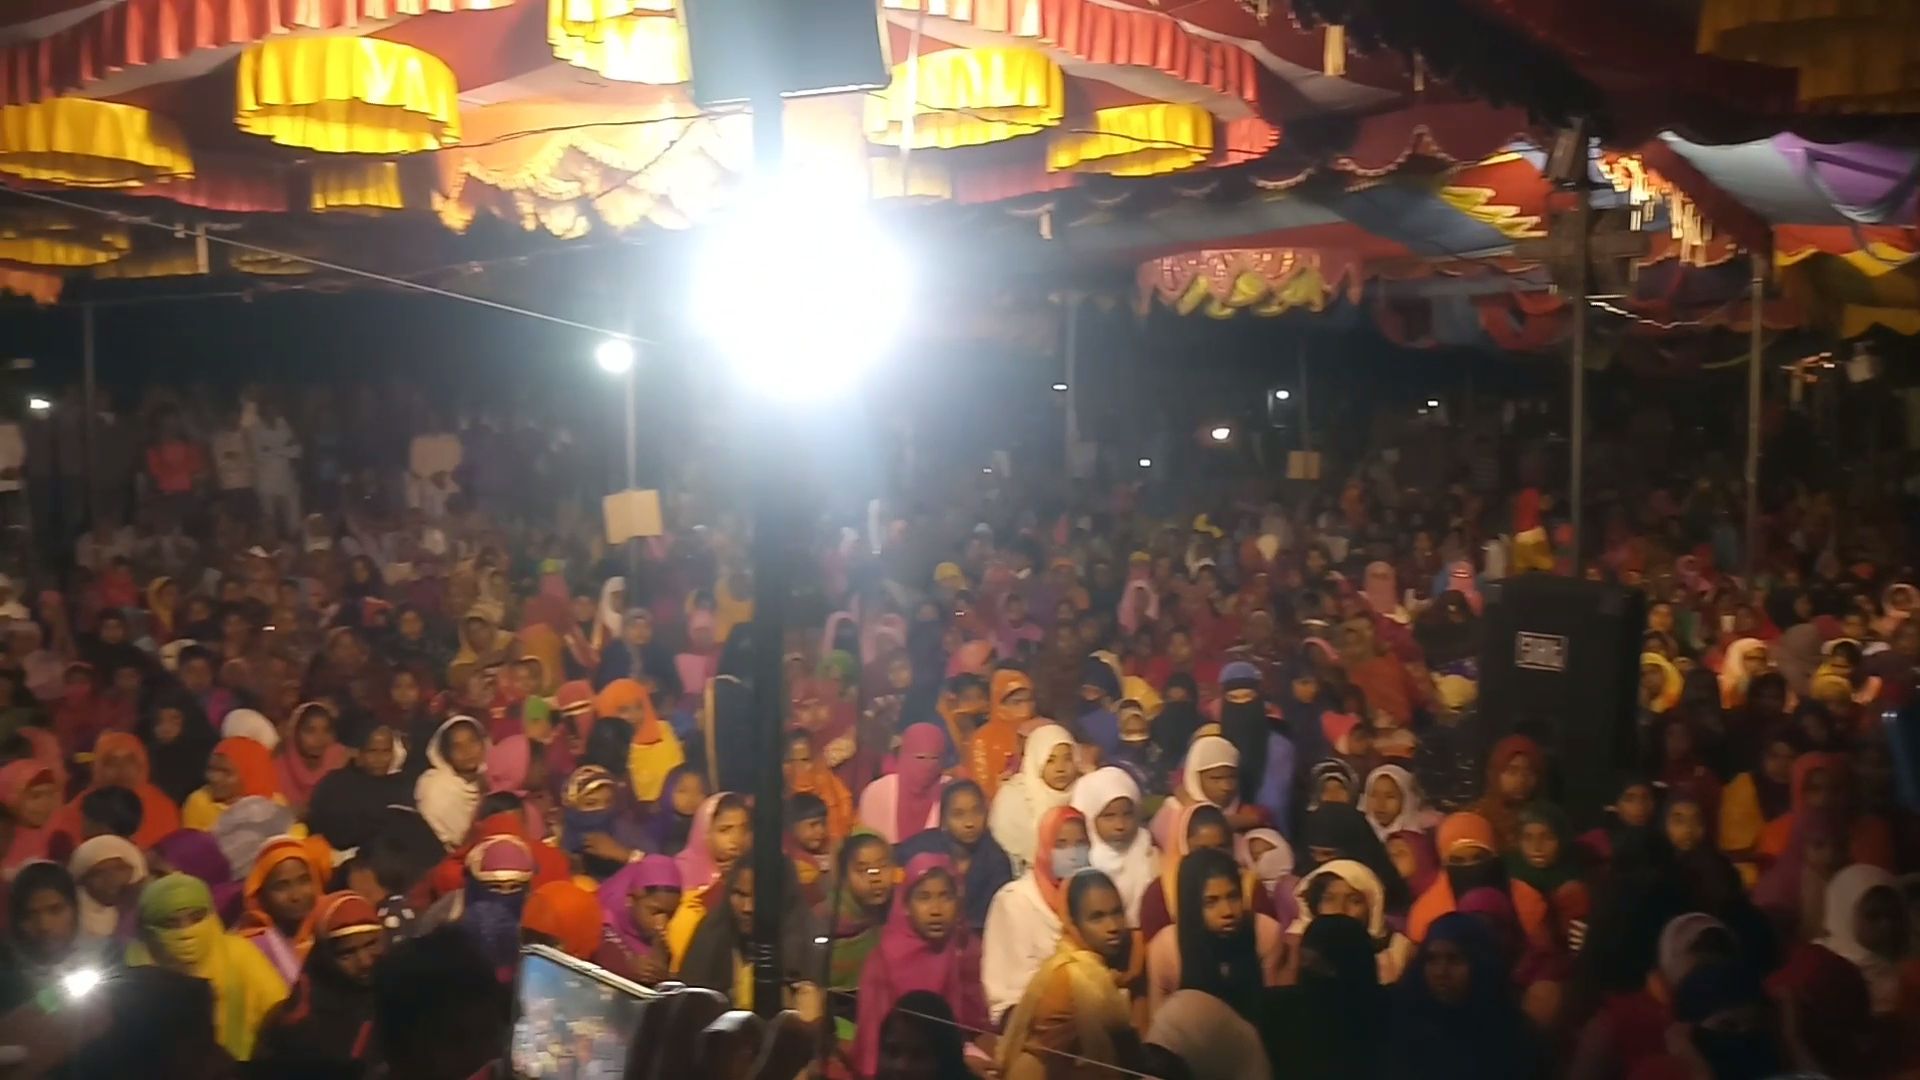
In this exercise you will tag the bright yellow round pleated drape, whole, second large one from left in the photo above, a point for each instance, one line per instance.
(348, 97)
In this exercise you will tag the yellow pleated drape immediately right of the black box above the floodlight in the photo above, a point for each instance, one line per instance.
(969, 97)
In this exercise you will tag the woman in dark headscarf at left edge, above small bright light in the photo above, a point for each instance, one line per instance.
(45, 941)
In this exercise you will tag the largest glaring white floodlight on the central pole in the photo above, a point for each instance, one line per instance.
(800, 289)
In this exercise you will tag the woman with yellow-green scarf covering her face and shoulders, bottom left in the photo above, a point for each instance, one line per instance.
(181, 933)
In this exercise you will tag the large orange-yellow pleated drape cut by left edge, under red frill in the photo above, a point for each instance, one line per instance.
(99, 145)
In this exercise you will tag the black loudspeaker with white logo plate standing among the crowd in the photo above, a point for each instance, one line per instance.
(1560, 662)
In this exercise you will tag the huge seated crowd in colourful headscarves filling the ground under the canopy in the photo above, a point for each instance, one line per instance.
(1070, 791)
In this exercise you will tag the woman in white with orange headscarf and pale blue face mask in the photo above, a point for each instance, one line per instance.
(1024, 920)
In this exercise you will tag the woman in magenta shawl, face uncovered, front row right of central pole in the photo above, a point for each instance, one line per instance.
(924, 946)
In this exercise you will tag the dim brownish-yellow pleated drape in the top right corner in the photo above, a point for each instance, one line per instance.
(1852, 55)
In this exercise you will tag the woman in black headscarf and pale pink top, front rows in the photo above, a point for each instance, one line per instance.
(1218, 943)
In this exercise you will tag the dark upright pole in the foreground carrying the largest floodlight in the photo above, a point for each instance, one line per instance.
(773, 531)
